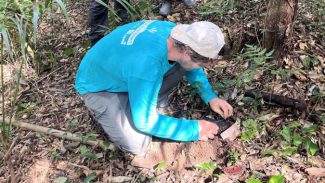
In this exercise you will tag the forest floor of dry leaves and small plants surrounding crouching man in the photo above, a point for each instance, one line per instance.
(275, 140)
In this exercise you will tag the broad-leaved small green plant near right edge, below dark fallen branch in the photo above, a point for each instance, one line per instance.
(296, 137)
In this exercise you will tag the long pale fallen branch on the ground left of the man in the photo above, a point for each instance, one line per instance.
(60, 134)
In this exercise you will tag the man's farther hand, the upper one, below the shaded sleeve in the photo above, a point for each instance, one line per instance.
(221, 107)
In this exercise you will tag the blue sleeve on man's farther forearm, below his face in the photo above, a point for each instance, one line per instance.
(197, 78)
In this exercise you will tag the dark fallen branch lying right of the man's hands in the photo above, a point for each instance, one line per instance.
(278, 99)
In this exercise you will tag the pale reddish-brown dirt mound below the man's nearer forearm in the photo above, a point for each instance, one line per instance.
(182, 155)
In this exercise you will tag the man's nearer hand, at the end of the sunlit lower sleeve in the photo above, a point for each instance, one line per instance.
(207, 130)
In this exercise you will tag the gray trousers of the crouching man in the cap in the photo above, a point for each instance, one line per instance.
(112, 111)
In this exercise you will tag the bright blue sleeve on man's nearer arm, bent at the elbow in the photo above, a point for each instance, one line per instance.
(143, 96)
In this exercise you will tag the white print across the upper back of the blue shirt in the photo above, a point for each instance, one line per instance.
(133, 34)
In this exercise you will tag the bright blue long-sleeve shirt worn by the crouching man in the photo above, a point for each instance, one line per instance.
(134, 58)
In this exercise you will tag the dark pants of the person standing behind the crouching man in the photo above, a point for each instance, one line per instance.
(98, 19)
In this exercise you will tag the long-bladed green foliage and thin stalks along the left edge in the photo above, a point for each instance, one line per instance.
(18, 26)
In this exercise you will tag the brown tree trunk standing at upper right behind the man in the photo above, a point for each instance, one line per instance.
(279, 25)
